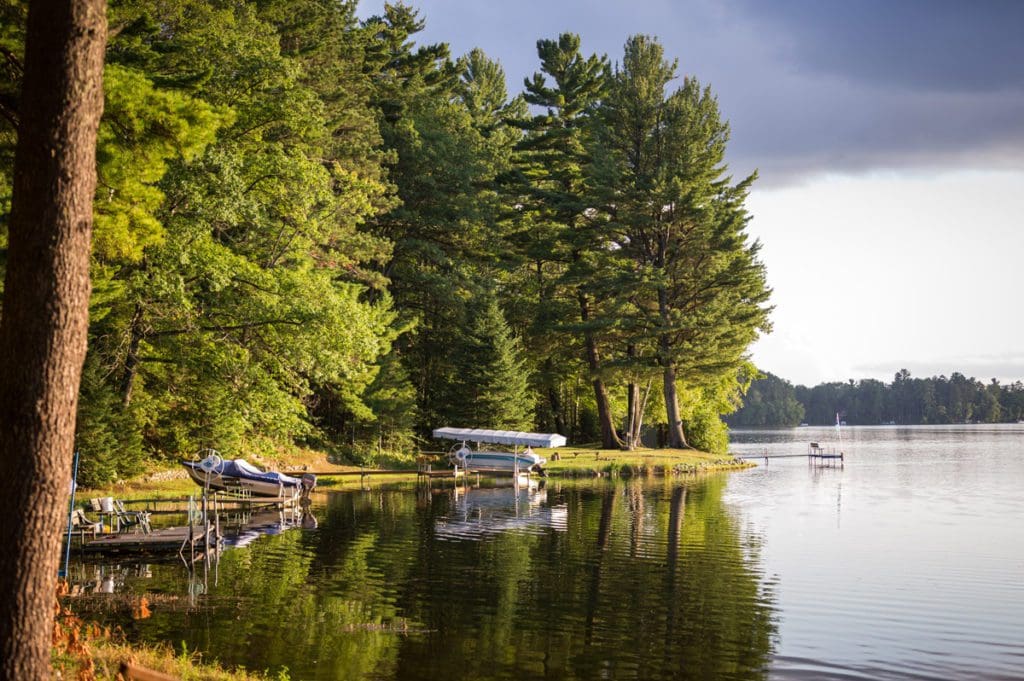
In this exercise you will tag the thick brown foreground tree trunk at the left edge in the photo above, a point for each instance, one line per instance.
(46, 316)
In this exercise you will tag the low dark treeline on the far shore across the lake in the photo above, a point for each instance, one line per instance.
(907, 401)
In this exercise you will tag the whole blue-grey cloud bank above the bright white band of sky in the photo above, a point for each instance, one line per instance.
(809, 88)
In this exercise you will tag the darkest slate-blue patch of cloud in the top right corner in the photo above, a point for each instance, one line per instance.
(946, 46)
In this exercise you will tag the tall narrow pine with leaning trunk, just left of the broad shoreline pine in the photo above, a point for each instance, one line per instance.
(560, 237)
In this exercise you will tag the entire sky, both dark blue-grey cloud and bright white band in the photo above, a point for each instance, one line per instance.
(889, 141)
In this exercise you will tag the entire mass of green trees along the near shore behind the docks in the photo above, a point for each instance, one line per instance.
(314, 231)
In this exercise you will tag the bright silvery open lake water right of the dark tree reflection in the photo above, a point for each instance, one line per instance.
(921, 579)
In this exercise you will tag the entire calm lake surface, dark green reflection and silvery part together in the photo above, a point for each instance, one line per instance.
(906, 564)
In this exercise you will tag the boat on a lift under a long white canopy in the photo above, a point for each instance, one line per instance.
(504, 462)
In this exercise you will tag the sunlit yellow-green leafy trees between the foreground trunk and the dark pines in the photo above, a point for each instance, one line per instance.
(230, 265)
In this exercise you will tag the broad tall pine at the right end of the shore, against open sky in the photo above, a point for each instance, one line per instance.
(699, 288)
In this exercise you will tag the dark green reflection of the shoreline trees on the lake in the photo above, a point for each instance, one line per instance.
(647, 580)
